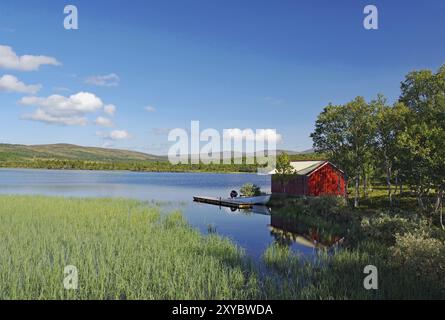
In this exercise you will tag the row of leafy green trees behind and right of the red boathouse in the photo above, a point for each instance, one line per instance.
(403, 141)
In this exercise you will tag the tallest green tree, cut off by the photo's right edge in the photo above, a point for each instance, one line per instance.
(423, 92)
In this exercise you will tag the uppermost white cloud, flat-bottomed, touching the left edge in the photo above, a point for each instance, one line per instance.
(10, 60)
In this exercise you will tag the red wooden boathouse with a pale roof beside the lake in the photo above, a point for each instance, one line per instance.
(311, 178)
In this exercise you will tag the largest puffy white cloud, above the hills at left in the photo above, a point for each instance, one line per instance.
(57, 109)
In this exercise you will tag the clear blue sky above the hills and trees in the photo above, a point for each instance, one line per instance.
(229, 64)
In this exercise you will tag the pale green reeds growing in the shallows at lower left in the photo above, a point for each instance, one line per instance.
(121, 248)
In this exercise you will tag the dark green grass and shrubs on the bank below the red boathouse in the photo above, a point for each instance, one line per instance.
(406, 266)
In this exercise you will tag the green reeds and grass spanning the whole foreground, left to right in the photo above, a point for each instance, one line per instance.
(124, 249)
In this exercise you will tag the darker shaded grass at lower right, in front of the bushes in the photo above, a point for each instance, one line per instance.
(340, 276)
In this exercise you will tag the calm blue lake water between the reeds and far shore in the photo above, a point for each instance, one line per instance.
(249, 229)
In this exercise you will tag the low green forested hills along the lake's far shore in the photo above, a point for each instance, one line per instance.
(67, 156)
